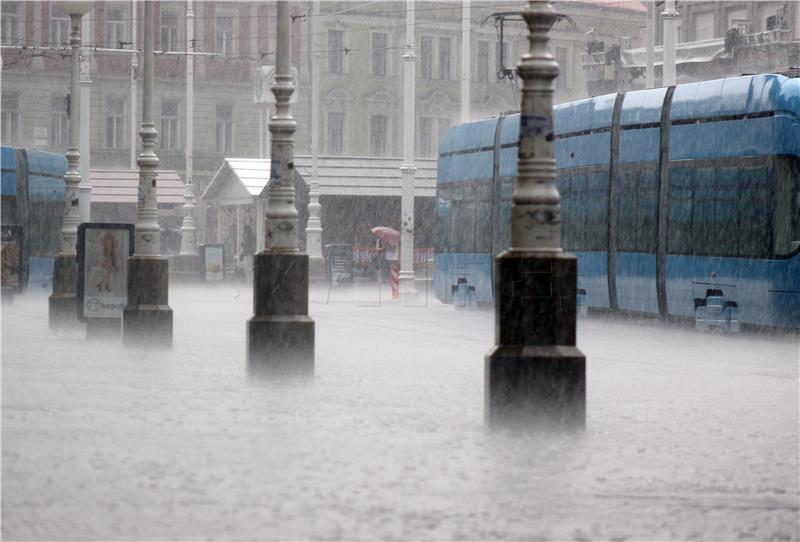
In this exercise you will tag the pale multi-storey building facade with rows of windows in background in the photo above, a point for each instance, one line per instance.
(358, 55)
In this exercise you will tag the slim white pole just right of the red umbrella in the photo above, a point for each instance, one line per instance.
(407, 285)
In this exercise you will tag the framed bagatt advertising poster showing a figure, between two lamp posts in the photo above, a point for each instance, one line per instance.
(103, 251)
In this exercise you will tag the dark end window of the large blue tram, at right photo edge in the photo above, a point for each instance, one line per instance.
(787, 206)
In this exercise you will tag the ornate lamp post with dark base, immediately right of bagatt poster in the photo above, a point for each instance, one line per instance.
(147, 318)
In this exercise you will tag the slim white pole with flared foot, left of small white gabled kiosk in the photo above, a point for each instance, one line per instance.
(188, 226)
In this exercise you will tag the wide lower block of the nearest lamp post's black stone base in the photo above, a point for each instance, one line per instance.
(536, 387)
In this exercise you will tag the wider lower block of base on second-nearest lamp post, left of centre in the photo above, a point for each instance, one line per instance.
(280, 346)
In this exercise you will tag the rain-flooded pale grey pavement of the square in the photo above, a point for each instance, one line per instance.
(689, 435)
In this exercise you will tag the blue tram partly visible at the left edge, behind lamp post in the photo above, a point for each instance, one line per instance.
(33, 197)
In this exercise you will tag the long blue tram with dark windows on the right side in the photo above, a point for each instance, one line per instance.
(679, 201)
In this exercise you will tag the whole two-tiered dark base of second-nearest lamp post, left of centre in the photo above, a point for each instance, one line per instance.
(280, 335)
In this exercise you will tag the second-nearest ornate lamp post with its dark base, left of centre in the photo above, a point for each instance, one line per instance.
(280, 334)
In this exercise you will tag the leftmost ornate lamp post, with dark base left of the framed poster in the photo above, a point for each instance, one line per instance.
(62, 302)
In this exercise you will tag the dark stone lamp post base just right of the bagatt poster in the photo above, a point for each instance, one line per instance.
(147, 318)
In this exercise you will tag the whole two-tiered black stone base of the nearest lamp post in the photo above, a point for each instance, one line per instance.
(535, 376)
